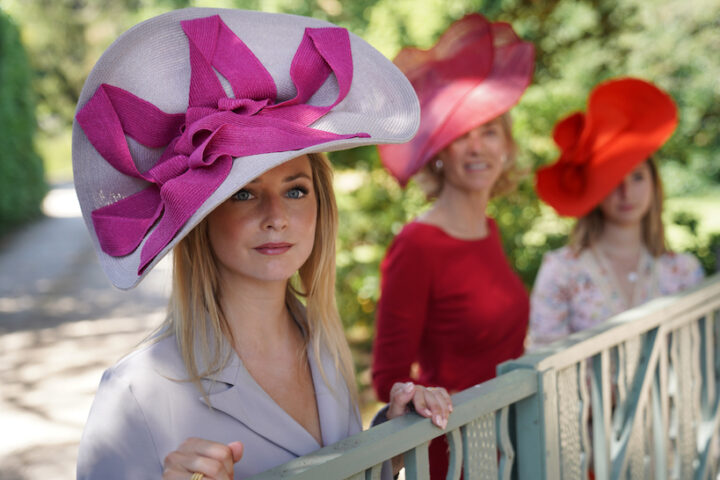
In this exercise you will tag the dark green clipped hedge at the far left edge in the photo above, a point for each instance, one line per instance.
(22, 183)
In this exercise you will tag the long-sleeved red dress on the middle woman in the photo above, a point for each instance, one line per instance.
(453, 306)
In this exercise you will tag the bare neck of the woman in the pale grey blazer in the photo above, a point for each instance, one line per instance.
(257, 315)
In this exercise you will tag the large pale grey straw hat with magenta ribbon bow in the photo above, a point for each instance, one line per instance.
(186, 108)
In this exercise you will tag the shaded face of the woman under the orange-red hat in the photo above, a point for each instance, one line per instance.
(631, 200)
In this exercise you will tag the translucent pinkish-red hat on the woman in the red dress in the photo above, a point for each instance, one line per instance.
(477, 71)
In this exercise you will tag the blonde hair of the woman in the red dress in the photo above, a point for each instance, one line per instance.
(430, 179)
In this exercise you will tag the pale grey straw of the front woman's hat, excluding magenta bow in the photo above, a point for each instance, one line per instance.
(151, 61)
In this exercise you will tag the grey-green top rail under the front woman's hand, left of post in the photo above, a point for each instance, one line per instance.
(366, 449)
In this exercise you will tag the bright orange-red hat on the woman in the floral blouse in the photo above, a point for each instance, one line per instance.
(627, 120)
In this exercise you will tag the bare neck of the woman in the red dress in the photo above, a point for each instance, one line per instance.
(461, 213)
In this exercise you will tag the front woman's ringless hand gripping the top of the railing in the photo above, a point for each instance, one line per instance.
(431, 402)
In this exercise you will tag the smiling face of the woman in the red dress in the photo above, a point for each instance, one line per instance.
(475, 161)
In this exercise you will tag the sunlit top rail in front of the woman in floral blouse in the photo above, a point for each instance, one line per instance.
(703, 298)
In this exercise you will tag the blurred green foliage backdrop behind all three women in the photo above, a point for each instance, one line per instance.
(47, 48)
